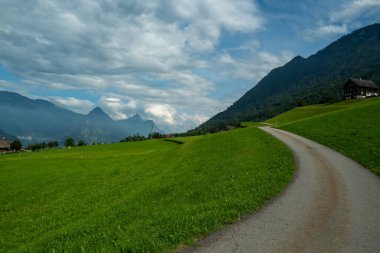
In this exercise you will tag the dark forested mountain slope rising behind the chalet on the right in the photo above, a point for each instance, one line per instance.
(317, 79)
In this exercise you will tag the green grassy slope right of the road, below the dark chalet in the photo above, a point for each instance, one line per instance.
(350, 127)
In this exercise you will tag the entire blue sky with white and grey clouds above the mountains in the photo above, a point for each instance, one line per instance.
(178, 62)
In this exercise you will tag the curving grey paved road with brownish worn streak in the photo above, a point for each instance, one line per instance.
(332, 205)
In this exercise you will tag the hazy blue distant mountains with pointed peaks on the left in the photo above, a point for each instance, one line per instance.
(39, 120)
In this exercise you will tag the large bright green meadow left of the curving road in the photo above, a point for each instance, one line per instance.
(151, 196)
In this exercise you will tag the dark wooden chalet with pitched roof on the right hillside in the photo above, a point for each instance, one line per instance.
(357, 88)
